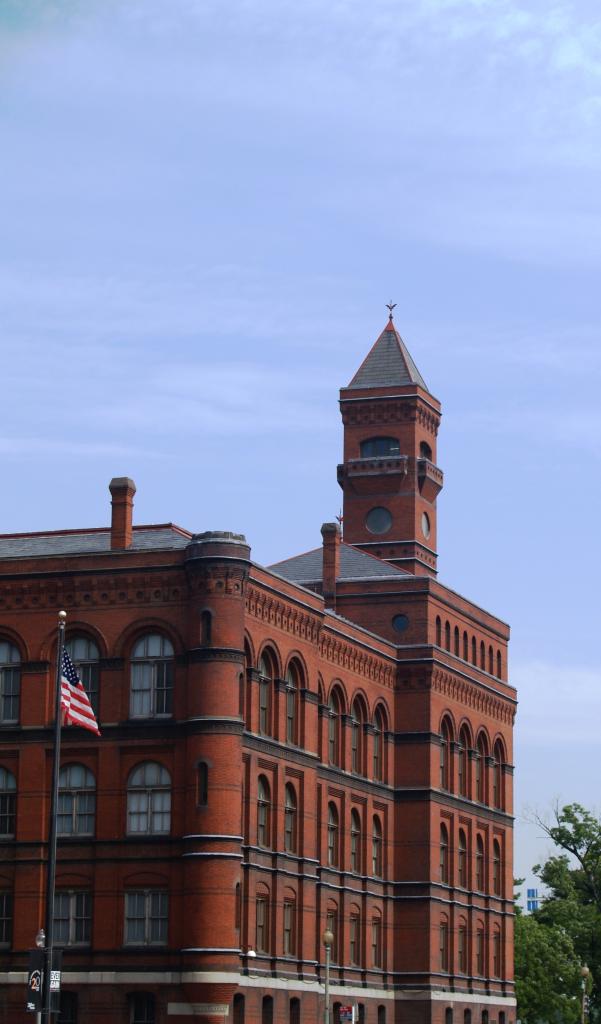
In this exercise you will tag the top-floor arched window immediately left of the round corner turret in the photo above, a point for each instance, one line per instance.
(152, 677)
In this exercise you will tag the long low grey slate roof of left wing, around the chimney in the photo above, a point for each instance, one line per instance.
(93, 542)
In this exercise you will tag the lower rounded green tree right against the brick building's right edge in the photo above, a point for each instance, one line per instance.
(547, 973)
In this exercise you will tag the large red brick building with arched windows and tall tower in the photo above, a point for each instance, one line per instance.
(323, 744)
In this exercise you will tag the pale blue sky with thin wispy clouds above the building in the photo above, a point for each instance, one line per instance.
(205, 207)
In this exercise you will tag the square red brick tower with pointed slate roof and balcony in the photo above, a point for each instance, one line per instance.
(390, 477)
